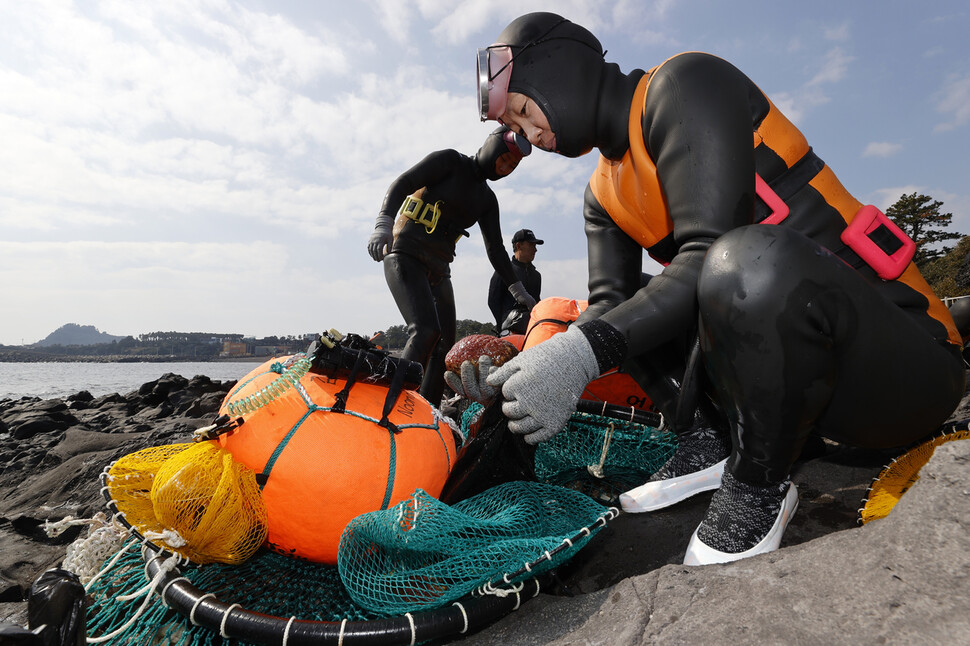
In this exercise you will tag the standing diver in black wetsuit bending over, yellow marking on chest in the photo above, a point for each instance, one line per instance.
(437, 200)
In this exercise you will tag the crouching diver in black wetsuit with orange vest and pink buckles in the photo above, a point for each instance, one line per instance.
(818, 324)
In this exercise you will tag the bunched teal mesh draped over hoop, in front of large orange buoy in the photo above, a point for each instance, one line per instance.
(424, 553)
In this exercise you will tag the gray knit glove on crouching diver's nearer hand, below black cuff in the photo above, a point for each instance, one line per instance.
(542, 384)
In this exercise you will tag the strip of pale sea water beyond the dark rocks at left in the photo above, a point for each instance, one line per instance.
(58, 380)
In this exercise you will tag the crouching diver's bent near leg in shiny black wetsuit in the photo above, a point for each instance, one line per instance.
(796, 341)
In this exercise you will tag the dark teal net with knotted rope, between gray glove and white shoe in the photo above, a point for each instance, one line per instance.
(605, 455)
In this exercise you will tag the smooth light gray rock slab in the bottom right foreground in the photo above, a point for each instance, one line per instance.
(904, 579)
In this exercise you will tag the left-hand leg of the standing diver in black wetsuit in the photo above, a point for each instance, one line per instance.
(408, 281)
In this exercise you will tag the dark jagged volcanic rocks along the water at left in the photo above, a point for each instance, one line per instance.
(53, 451)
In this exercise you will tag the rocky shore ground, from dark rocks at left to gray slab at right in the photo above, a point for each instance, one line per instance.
(903, 579)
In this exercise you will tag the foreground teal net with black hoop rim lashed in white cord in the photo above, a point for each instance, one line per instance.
(478, 561)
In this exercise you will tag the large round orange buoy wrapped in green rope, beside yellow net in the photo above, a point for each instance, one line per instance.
(319, 468)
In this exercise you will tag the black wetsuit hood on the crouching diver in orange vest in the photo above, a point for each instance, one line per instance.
(559, 65)
